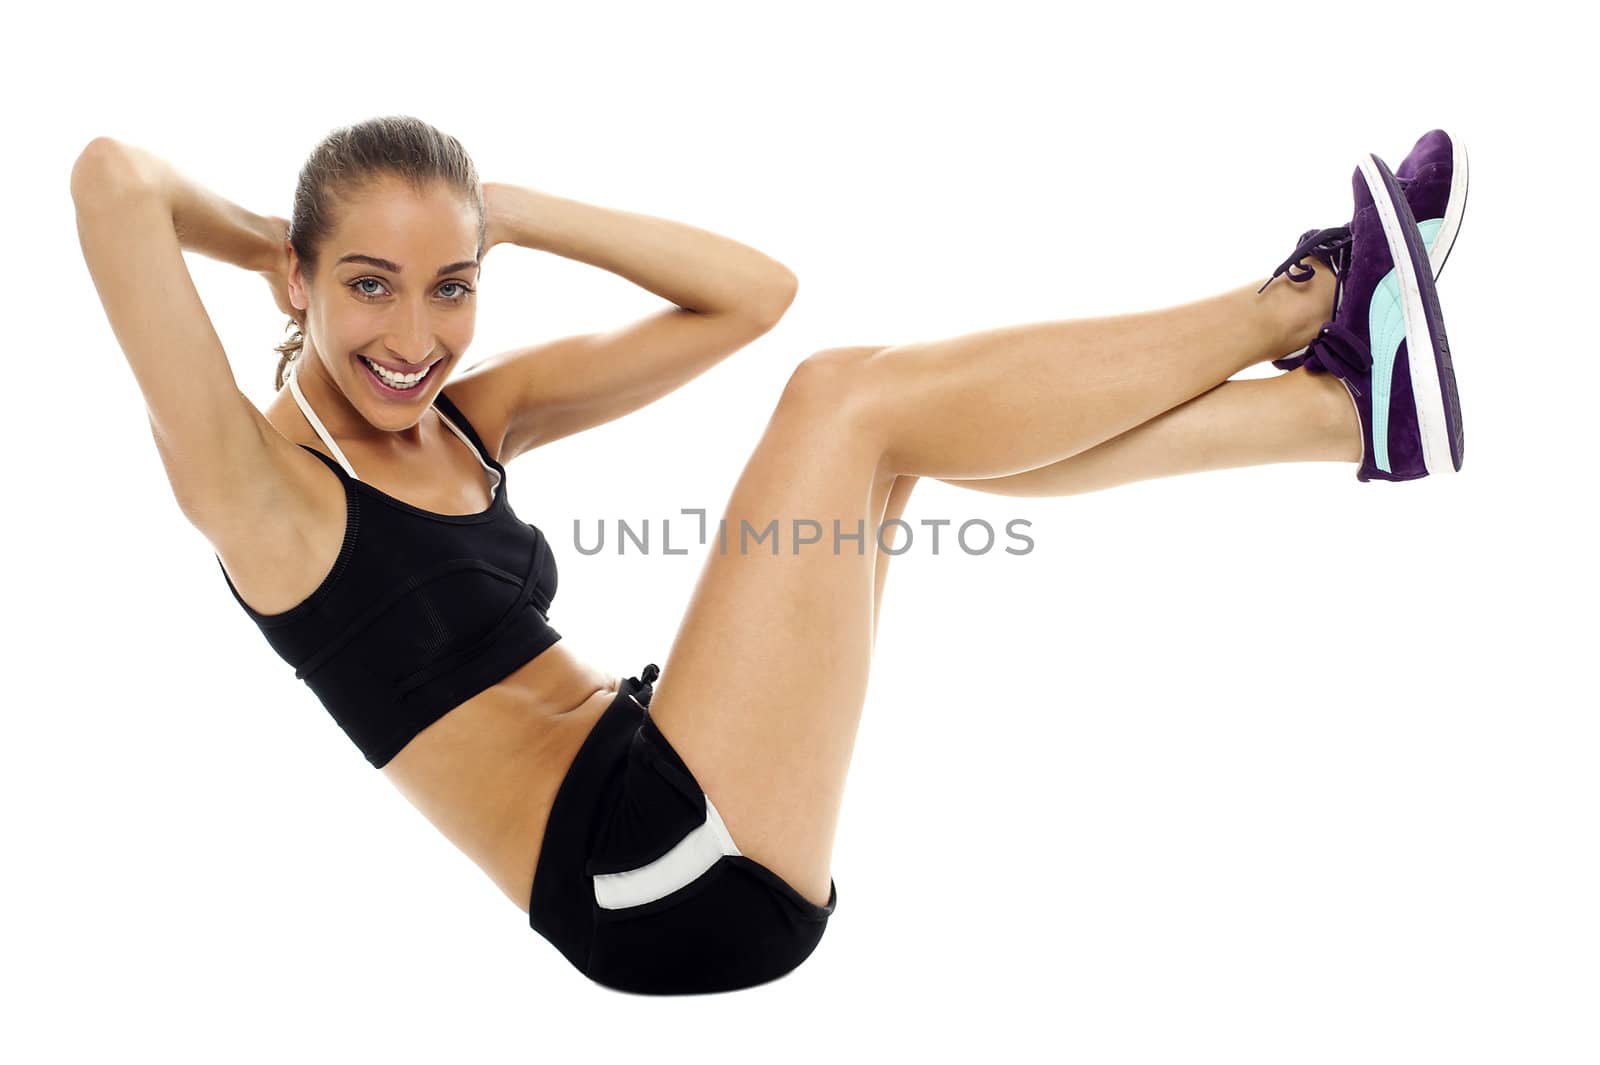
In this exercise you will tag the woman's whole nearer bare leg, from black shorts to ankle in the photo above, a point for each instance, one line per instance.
(762, 690)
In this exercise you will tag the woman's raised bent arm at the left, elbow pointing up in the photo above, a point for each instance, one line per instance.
(135, 215)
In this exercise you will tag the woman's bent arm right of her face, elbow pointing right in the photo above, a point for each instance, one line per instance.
(726, 297)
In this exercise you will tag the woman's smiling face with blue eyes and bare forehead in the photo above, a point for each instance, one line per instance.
(396, 284)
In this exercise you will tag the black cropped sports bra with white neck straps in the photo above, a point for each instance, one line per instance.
(422, 610)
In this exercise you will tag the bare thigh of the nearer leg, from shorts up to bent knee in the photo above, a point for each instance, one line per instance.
(762, 690)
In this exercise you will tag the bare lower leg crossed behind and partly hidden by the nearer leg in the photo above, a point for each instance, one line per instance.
(1292, 418)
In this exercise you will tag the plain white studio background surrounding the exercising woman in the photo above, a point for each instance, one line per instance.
(1255, 767)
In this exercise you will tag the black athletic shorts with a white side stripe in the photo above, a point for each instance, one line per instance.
(639, 884)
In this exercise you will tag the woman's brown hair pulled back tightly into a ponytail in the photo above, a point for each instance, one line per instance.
(351, 159)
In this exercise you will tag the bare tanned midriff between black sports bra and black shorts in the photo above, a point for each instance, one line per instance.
(487, 773)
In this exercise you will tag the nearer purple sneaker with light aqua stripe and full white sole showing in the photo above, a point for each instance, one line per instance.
(1386, 341)
